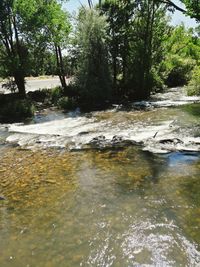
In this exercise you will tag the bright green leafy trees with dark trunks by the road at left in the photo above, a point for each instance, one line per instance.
(27, 27)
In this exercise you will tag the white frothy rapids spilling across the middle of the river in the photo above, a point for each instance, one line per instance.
(159, 130)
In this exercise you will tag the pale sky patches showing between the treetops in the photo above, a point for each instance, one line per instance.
(177, 17)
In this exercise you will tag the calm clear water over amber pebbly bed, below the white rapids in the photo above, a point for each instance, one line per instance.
(111, 208)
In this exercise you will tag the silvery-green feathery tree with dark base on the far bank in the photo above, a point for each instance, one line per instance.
(93, 77)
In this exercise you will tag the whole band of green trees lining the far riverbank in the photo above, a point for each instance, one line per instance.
(117, 51)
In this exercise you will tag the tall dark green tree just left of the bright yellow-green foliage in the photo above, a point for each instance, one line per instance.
(150, 30)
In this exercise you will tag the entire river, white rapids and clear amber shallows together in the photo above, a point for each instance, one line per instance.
(105, 202)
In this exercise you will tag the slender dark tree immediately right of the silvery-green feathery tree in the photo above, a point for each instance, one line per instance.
(119, 17)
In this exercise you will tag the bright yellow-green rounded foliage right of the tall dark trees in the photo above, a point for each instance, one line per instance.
(182, 54)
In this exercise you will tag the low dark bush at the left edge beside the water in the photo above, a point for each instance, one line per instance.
(16, 110)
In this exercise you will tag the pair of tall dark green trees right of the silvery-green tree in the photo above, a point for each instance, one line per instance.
(138, 31)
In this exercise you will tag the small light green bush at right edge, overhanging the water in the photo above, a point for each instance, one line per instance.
(194, 84)
